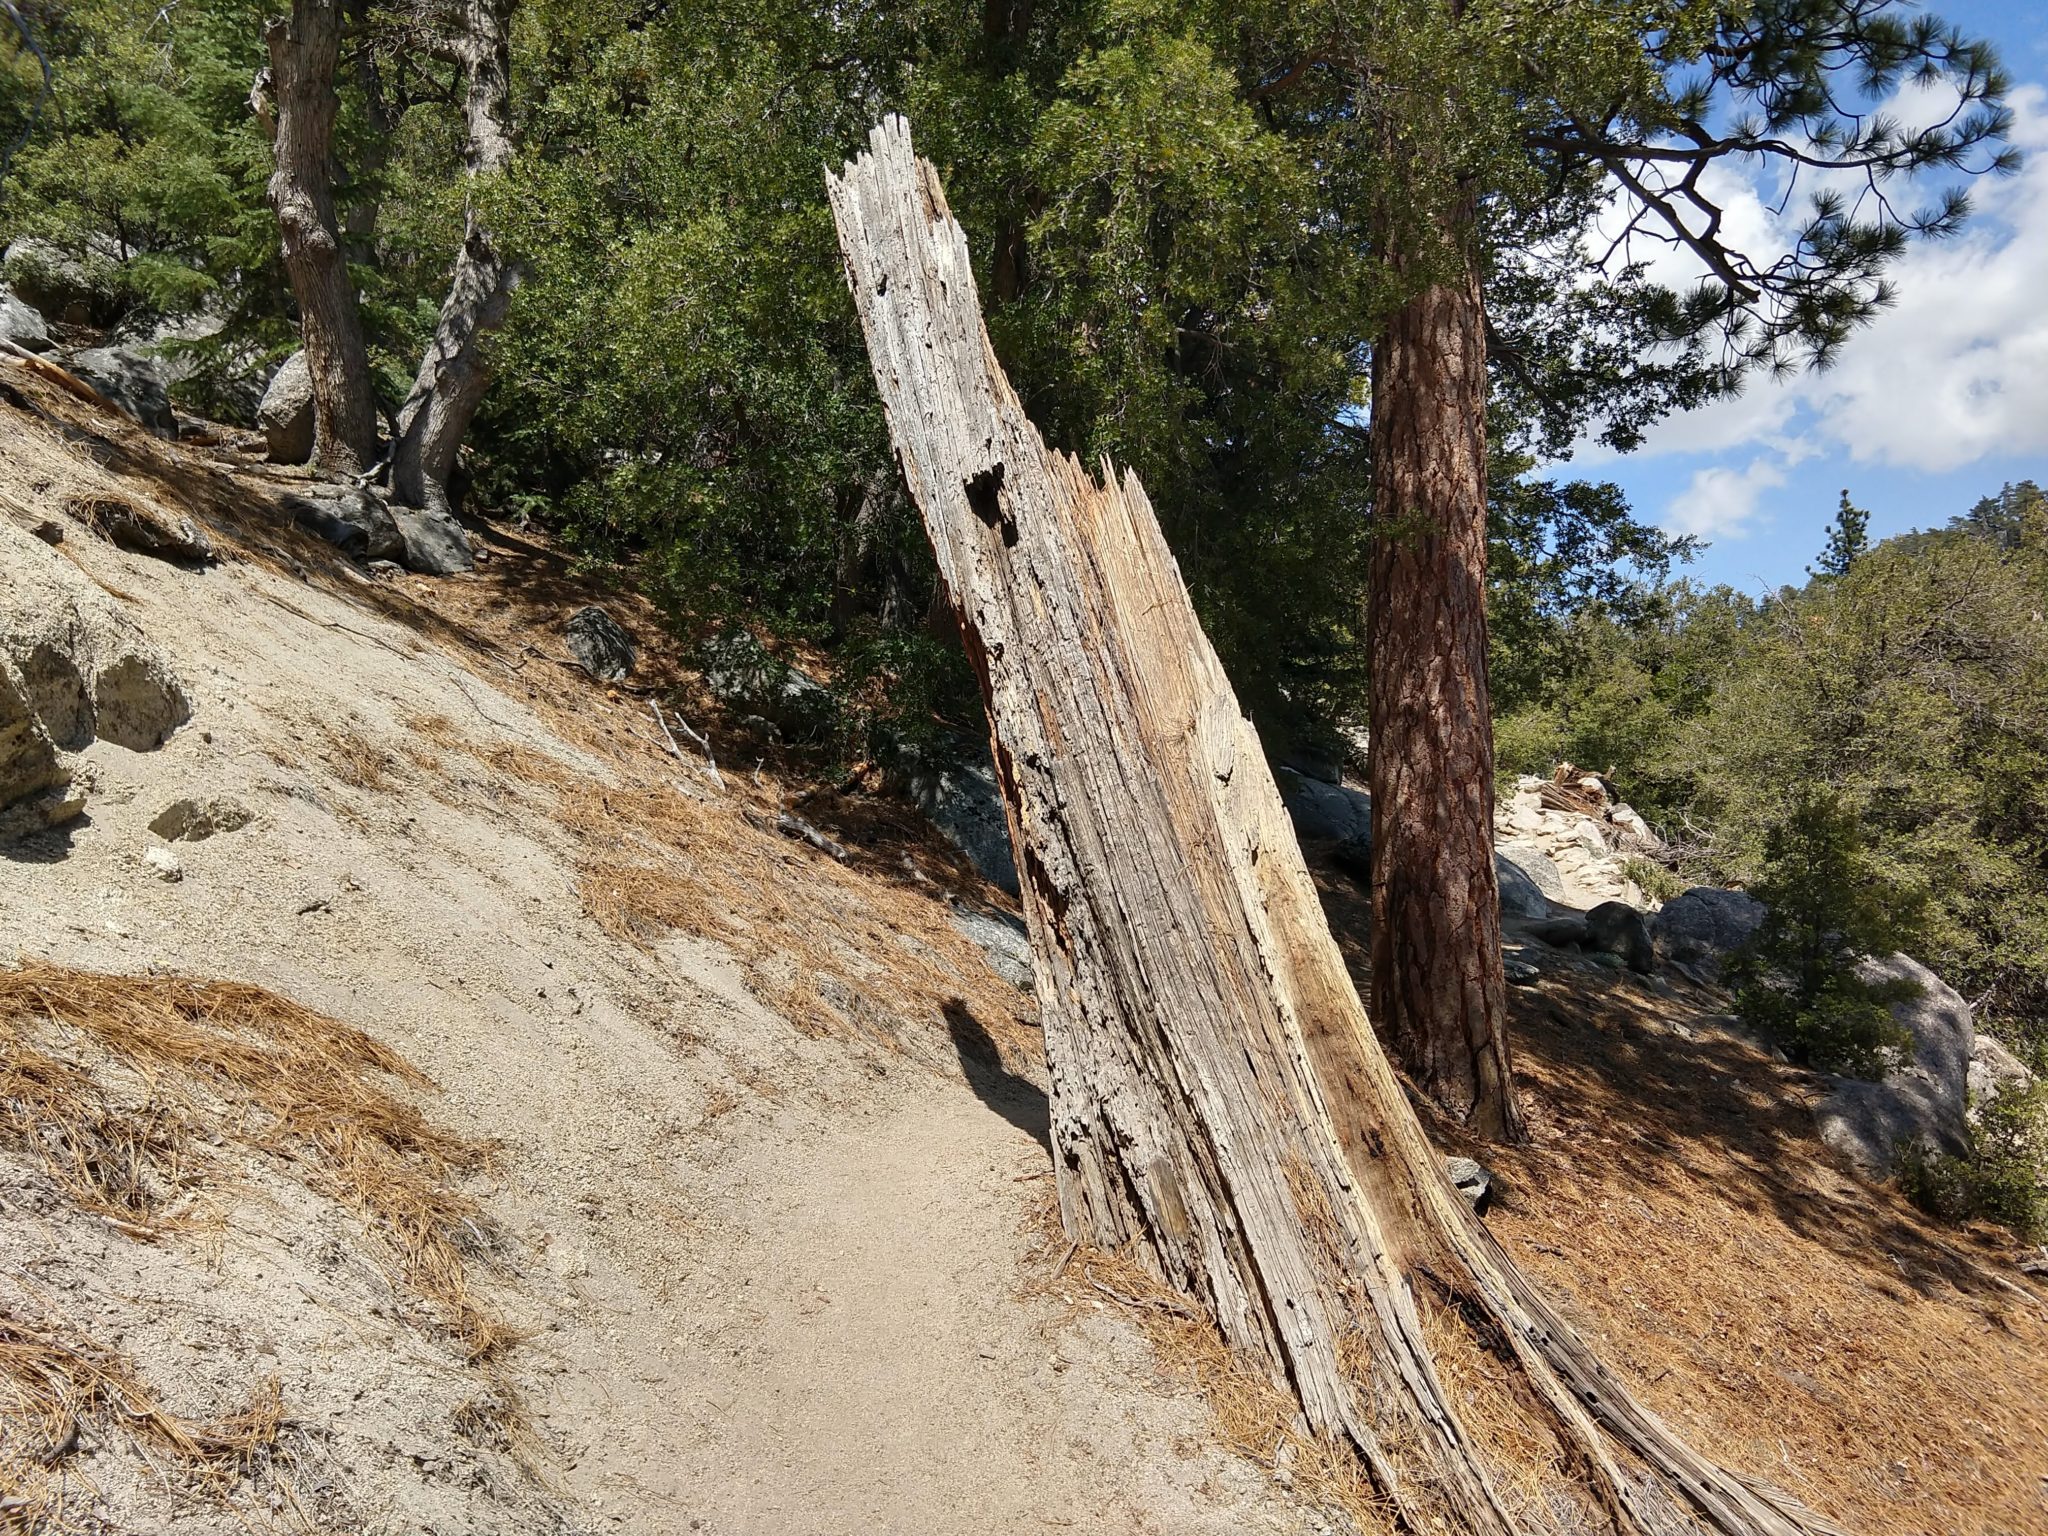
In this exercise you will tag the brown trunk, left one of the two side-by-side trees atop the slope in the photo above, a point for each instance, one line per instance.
(304, 56)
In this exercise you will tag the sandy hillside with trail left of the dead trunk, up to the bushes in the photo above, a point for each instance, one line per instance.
(771, 1265)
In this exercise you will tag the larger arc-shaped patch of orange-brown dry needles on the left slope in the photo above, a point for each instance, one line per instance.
(132, 1091)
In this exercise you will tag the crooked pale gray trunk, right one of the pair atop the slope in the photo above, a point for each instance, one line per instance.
(454, 378)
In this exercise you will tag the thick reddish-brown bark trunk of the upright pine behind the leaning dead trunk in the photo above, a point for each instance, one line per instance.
(1439, 992)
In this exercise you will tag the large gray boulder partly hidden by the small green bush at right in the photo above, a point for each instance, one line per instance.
(1924, 1101)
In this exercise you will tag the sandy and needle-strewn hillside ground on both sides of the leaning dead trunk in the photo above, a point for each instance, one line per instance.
(736, 1166)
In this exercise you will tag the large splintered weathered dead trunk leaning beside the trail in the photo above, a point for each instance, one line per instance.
(1220, 1101)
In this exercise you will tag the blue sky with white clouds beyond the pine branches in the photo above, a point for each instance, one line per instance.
(1934, 404)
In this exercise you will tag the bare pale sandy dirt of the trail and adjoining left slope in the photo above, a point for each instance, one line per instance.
(775, 1283)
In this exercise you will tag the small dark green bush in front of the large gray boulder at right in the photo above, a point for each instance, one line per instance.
(1828, 906)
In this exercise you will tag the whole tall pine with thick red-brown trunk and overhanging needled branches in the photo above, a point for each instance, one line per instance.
(1471, 144)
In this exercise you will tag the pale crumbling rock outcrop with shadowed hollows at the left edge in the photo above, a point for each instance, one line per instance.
(73, 671)
